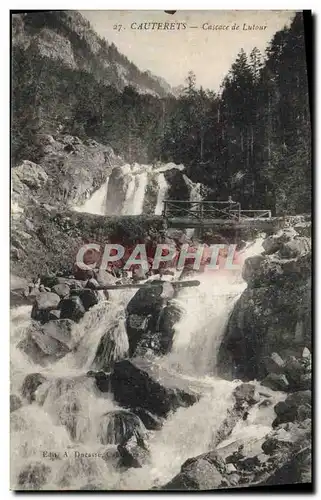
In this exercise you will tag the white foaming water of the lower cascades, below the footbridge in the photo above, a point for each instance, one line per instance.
(69, 409)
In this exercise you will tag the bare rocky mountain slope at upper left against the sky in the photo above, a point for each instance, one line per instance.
(66, 36)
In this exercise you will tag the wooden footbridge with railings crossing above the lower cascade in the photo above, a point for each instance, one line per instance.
(214, 214)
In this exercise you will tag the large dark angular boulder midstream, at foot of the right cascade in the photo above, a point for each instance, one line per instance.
(138, 382)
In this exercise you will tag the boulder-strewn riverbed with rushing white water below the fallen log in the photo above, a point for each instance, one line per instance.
(101, 395)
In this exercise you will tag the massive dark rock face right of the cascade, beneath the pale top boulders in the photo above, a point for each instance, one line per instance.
(266, 320)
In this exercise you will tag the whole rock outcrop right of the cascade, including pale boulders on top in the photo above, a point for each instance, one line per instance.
(273, 315)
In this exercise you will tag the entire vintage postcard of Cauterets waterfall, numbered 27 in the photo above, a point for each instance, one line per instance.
(160, 250)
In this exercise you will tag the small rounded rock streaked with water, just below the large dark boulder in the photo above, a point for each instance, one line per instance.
(118, 427)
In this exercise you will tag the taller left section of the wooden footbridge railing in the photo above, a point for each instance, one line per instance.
(202, 209)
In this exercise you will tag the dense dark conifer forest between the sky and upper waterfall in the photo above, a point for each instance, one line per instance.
(252, 140)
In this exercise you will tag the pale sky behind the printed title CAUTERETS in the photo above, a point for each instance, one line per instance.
(171, 54)
